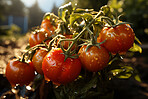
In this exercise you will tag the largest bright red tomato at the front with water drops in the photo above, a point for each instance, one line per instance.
(57, 70)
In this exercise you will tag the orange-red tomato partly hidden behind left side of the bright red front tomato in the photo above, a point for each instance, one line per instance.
(38, 59)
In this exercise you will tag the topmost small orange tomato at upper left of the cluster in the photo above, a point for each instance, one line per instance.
(49, 28)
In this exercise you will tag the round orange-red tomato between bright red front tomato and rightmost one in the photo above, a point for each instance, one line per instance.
(94, 59)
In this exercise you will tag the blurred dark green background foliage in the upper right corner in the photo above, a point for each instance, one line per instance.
(135, 12)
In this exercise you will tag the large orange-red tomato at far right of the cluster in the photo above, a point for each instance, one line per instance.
(118, 39)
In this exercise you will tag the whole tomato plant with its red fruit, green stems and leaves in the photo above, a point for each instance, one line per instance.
(60, 59)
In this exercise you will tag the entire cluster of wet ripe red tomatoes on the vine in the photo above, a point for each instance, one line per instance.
(58, 63)
